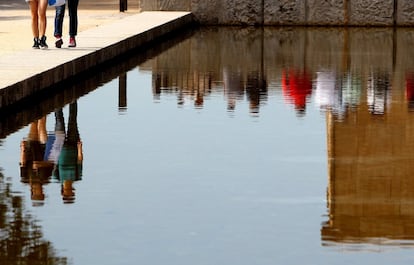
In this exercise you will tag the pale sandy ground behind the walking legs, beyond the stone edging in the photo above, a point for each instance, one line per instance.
(15, 21)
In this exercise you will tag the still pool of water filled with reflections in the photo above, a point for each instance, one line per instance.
(223, 146)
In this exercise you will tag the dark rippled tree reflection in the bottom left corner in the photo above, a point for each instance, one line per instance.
(21, 238)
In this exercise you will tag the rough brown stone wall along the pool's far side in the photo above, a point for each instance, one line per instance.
(292, 12)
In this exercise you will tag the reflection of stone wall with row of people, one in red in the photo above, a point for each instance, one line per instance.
(250, 63)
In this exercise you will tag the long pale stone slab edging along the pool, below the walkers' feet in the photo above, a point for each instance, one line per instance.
(25, 72)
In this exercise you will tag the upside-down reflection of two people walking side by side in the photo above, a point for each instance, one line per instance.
(56, 155)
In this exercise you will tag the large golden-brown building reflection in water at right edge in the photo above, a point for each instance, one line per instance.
(371, 167)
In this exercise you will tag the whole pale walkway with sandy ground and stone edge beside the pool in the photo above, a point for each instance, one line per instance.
(103, 34)
